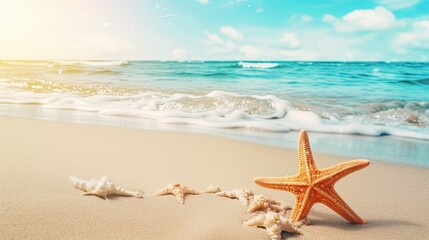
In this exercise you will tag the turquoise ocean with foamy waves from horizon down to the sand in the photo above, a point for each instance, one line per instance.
(366, 102)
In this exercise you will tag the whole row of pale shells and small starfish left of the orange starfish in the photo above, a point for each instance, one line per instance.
(271, 212)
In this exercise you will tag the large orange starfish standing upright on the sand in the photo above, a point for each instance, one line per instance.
(312, 185)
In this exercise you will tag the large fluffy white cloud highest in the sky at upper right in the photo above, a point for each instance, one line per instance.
(376, 19)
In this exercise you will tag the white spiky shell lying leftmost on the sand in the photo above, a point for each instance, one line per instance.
(102, 187)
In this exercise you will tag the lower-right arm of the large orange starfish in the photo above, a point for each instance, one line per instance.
(337, 204)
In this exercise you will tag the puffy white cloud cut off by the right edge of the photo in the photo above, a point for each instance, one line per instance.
(416, 39)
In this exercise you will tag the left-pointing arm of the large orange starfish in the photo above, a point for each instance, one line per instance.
(291, 184)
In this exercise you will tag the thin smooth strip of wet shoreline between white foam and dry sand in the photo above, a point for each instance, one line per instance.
(392, 149)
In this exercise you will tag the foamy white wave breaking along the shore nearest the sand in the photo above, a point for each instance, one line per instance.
(220, 109)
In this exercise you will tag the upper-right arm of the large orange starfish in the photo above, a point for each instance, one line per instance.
(331, 175)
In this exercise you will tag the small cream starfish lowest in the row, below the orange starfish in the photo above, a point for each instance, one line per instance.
(274, 223)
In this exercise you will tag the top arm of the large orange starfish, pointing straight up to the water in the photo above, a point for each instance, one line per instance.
(305, 156)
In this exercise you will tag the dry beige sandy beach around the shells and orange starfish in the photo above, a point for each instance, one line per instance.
(38, 200)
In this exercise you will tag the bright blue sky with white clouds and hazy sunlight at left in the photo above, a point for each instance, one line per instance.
(388, 30)
